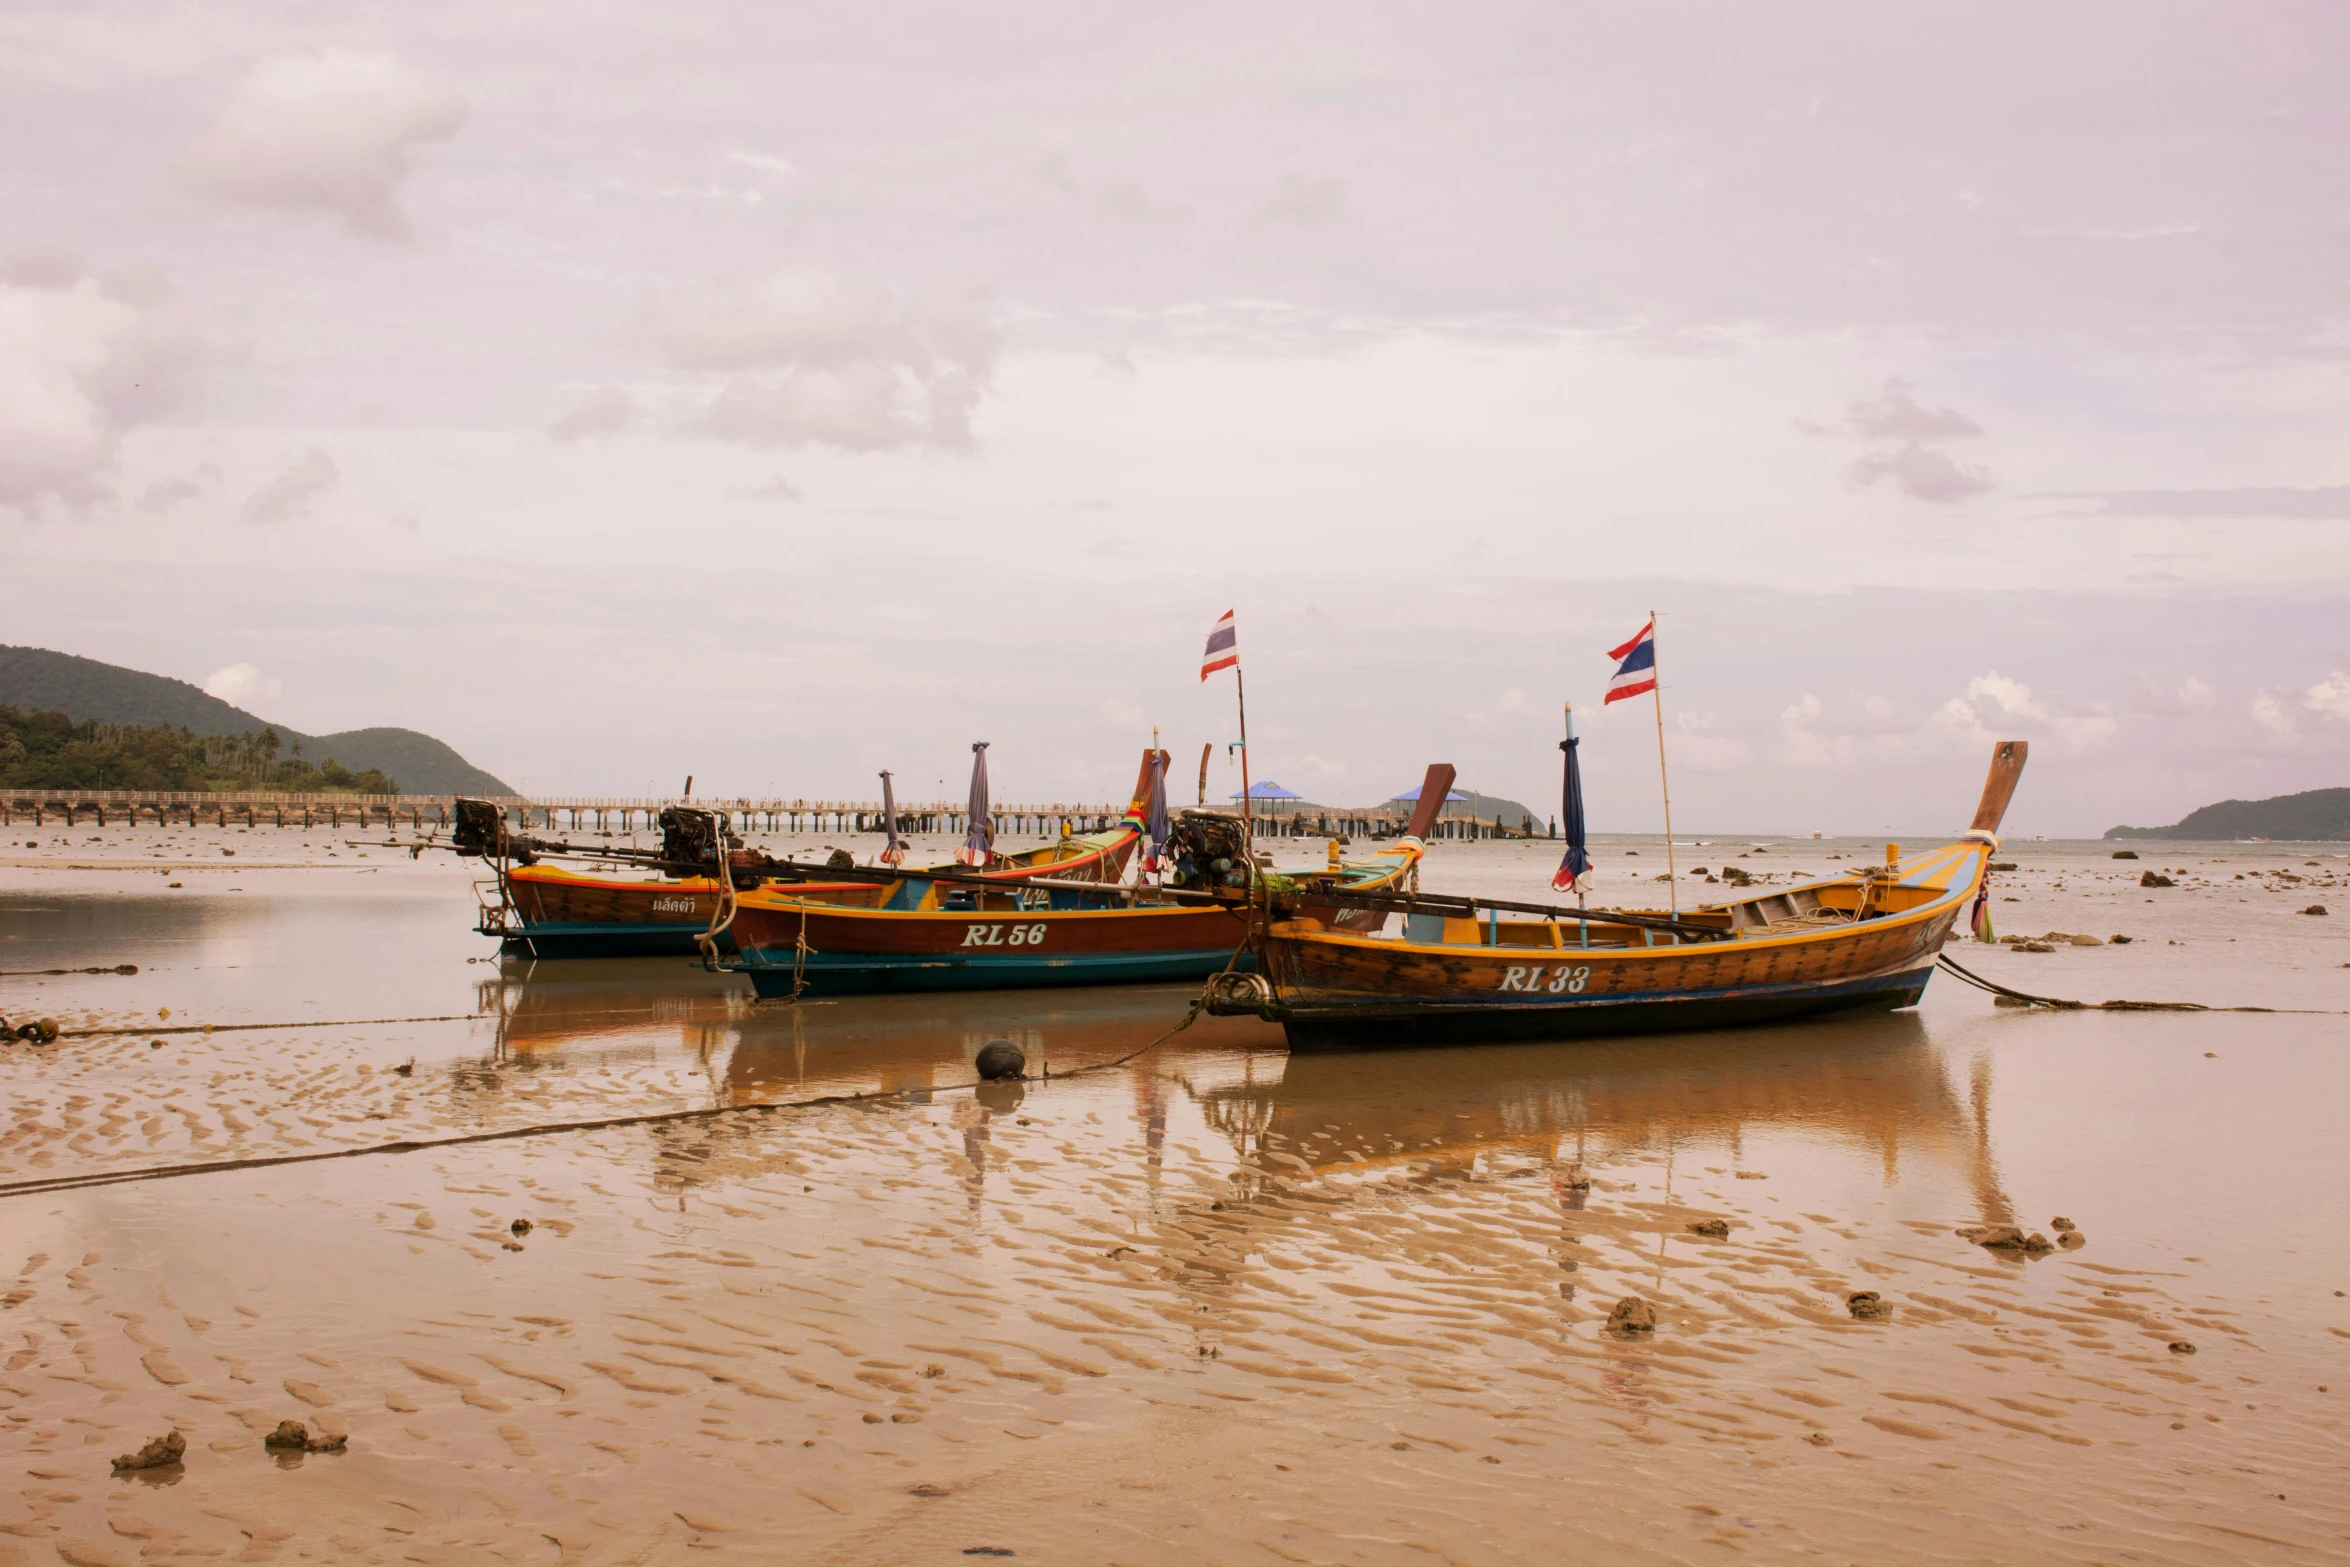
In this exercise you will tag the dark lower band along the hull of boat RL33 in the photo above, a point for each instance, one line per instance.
(1374, 1025)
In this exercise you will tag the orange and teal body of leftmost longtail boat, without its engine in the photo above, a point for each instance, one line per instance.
(553, 913)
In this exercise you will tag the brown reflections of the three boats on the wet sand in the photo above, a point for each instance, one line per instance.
(1867, 1084)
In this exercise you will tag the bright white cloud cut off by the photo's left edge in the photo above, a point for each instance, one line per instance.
(83, 361)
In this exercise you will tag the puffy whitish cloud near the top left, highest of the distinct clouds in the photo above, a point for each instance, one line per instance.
(323, 133)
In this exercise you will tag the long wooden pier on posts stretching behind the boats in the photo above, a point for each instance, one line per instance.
(617, 816)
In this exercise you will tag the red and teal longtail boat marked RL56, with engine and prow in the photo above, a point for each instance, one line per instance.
(941, 934)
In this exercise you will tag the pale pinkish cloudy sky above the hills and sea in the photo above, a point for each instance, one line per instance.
(788, 394)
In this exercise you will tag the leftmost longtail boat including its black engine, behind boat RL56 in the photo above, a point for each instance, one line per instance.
(556, 913)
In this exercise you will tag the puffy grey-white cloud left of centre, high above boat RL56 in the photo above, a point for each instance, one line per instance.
(817, 361)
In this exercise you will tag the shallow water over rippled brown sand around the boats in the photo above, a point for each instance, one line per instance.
(1211, 1305)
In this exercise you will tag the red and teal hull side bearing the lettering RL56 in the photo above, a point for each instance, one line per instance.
(814, 950)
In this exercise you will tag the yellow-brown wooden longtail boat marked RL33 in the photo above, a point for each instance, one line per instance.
(1841, 943)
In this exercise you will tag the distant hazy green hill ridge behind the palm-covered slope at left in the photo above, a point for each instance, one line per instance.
(36, 680)
